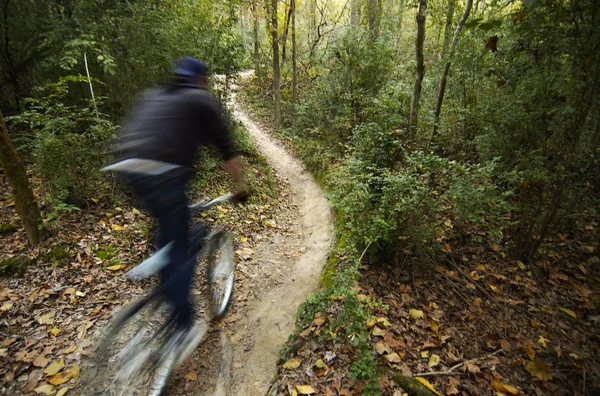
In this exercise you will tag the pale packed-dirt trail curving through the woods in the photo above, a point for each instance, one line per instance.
(269, 321)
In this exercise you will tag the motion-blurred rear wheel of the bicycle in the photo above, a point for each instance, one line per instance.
(129, 352)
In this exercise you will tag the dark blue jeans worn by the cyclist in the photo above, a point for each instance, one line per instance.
(164, 196)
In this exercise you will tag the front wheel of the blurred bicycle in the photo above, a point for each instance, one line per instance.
(220, 273)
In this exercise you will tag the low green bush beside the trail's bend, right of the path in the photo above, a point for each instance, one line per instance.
(407, 207)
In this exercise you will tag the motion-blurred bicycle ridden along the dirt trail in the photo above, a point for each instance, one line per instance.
(142, 345)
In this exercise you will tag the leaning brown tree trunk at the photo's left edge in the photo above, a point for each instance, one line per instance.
(25, 203)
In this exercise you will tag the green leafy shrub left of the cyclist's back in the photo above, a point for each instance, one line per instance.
(69, 142)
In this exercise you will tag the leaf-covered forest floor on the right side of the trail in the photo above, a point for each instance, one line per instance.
(475, 321)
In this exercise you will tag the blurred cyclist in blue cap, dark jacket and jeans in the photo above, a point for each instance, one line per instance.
(158, 145)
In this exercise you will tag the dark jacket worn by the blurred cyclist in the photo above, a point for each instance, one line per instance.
(169, 124)
